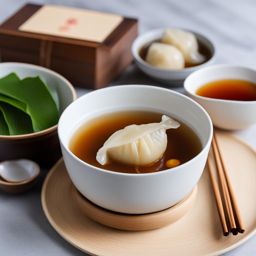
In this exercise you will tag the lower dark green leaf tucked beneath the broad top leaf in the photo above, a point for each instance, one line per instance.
(17, 121)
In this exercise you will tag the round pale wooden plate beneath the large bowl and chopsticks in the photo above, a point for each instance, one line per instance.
(197, 233)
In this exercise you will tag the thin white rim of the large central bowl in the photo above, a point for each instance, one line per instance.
(141, 174)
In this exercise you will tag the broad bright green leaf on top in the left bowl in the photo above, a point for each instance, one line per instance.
(35, 95)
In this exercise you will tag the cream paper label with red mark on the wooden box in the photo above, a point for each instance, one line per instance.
(72, 23)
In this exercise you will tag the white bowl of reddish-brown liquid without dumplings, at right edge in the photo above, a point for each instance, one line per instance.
(225, 114)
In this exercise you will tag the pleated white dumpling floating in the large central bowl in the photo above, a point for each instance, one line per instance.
(138, 145)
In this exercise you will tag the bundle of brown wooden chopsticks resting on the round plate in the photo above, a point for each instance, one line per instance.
(224, 194)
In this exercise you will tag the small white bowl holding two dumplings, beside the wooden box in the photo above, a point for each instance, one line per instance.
(173, 77)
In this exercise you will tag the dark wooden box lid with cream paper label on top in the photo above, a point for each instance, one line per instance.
(23, 22)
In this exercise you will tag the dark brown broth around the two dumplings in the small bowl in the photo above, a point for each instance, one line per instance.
(205, 51)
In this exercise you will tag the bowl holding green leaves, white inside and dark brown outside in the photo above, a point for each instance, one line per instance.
(42, 147)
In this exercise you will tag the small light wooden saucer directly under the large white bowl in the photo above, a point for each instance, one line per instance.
(136, 222)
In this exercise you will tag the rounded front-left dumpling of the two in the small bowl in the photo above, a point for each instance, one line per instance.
(165, 56)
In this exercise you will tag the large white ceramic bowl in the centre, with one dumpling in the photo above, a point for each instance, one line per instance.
(134, 193)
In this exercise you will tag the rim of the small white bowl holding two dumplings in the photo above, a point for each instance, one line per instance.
(156, 34)
